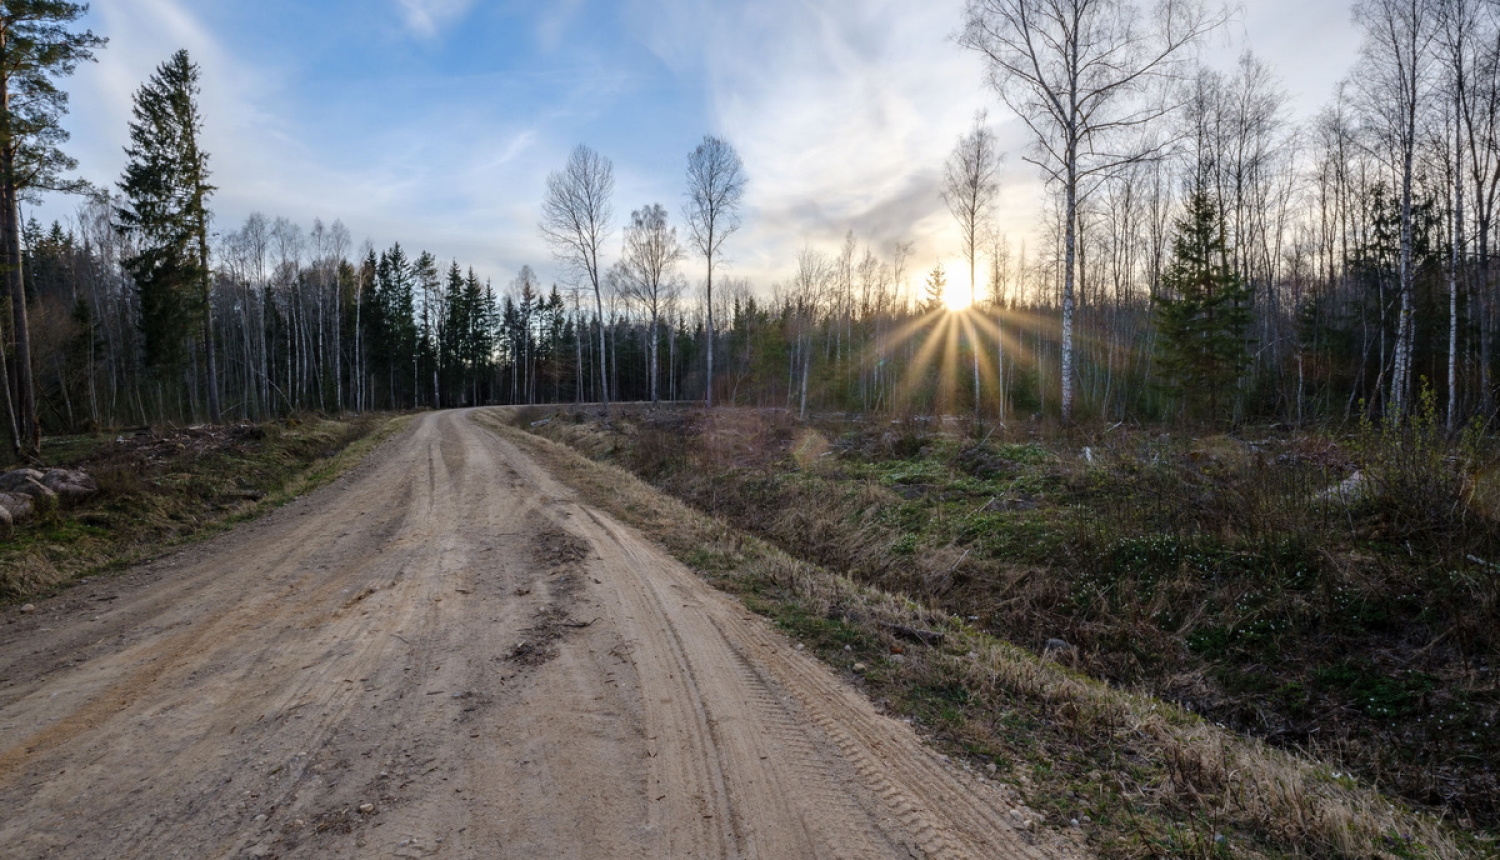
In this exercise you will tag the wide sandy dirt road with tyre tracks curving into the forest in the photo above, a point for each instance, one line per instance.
(446, 655)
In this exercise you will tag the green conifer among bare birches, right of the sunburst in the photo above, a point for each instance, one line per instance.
(1202, 311)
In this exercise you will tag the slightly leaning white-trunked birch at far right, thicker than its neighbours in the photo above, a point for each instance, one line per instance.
(1397, 80)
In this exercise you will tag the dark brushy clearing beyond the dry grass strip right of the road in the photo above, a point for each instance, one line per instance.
(1214, 573)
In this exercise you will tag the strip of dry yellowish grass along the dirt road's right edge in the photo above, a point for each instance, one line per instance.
(1160, 783)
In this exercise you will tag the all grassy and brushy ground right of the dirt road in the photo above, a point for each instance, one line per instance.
(1229, 646)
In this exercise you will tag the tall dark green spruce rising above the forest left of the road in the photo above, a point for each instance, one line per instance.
(167, 193)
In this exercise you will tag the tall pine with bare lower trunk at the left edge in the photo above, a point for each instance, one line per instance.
(35, 50)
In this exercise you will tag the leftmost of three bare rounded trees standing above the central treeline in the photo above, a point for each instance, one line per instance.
(575, 221)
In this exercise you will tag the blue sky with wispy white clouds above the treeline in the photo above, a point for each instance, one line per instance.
(436, 122)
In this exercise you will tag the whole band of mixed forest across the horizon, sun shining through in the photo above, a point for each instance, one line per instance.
(1199, 256)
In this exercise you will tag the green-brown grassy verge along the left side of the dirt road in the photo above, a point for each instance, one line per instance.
(161, 490)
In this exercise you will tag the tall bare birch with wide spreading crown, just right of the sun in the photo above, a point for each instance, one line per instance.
(1079, 74)
